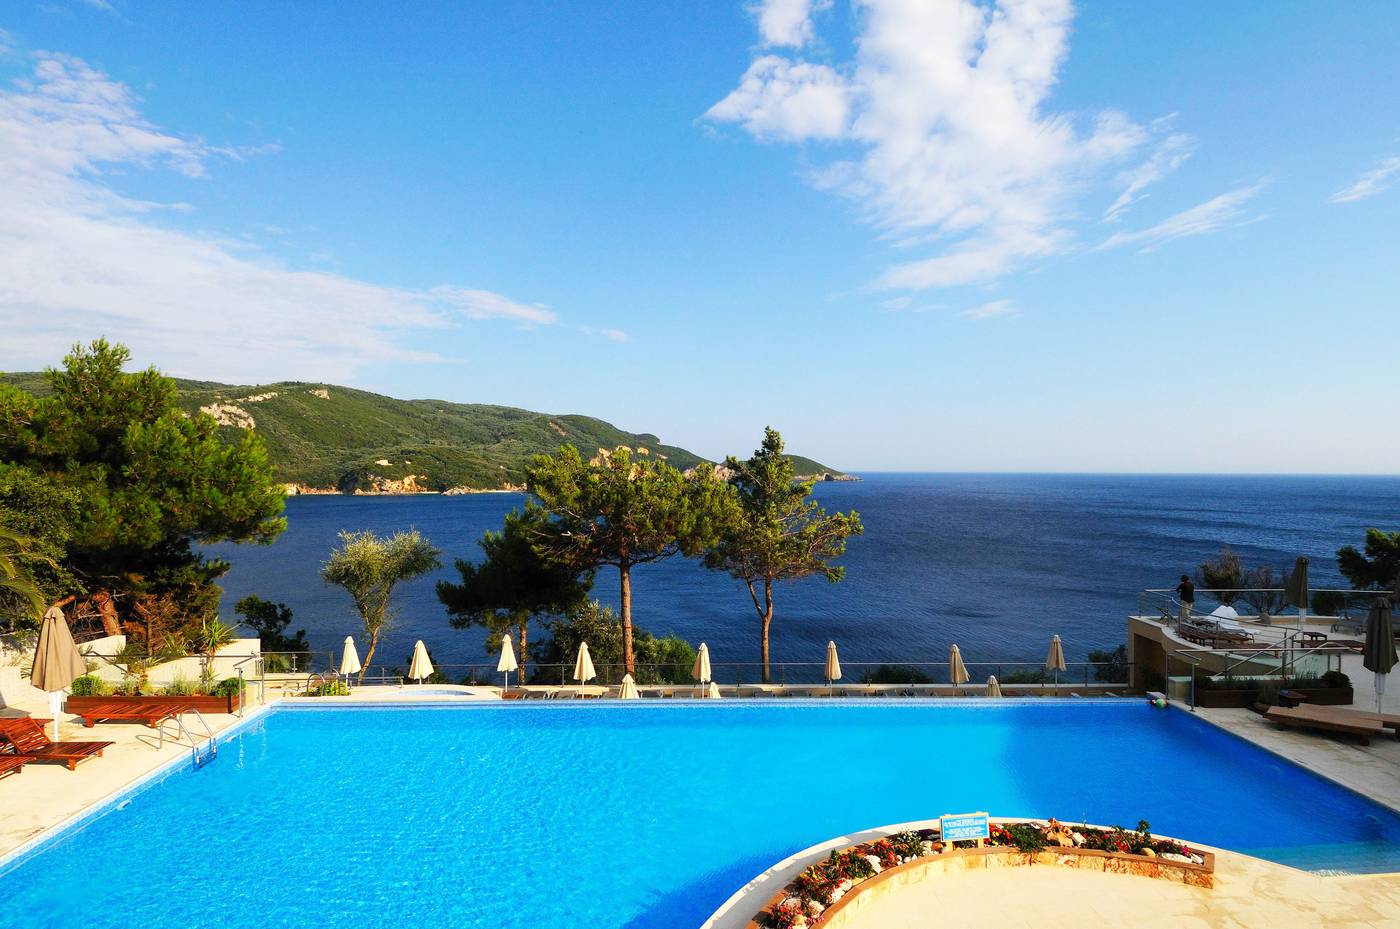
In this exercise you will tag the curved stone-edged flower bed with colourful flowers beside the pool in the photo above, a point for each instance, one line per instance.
(817, 895)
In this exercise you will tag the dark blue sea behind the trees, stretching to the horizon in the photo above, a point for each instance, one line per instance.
(993, 563)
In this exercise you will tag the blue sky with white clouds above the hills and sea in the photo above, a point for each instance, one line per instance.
(911, 234)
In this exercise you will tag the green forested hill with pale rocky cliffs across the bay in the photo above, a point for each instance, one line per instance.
(324, 437)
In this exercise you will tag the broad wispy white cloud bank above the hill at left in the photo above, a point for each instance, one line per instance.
(79, 260)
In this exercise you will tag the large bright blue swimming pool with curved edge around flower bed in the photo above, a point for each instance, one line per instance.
(617, 816)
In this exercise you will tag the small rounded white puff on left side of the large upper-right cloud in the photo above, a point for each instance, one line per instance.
(787, 101)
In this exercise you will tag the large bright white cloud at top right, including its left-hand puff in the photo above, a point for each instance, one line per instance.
(946, 104)
